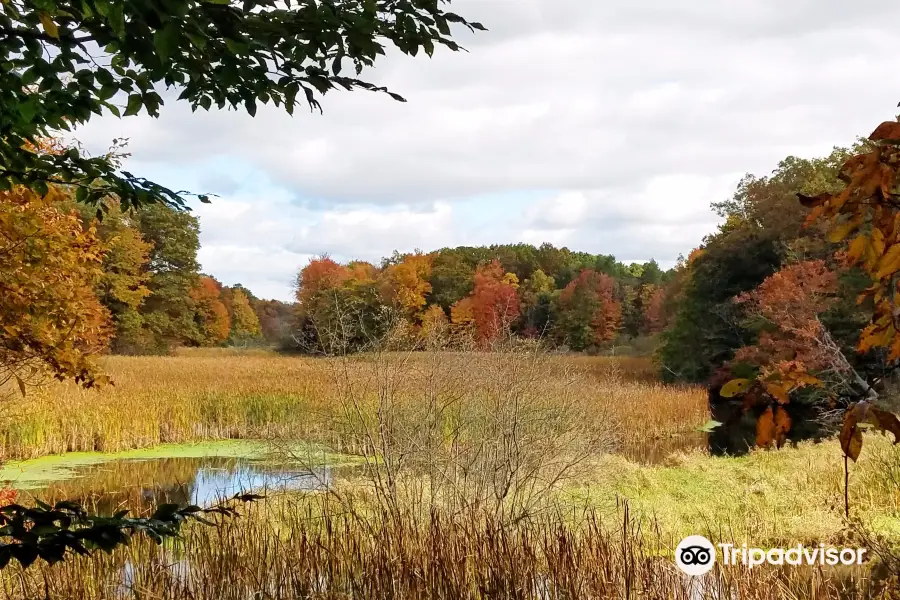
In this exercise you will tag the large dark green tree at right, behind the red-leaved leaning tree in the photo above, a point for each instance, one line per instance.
(763, 230)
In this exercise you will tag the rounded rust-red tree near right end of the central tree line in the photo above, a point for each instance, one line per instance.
(589, 312)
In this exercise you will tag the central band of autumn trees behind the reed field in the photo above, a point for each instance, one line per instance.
(577, 300)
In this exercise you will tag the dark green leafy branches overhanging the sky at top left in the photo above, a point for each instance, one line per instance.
(67, 60)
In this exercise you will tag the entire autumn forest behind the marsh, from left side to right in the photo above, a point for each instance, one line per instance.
(762, 292)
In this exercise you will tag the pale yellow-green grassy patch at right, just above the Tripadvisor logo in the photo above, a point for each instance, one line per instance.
(770, 498)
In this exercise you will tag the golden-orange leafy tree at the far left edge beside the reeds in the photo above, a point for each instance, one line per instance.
(51, 321)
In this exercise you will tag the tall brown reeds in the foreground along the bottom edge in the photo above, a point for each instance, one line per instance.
(294, 549)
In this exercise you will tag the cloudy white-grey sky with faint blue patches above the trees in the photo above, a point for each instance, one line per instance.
(603, 125)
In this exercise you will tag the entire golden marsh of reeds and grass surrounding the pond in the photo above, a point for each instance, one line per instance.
(476, 475)
